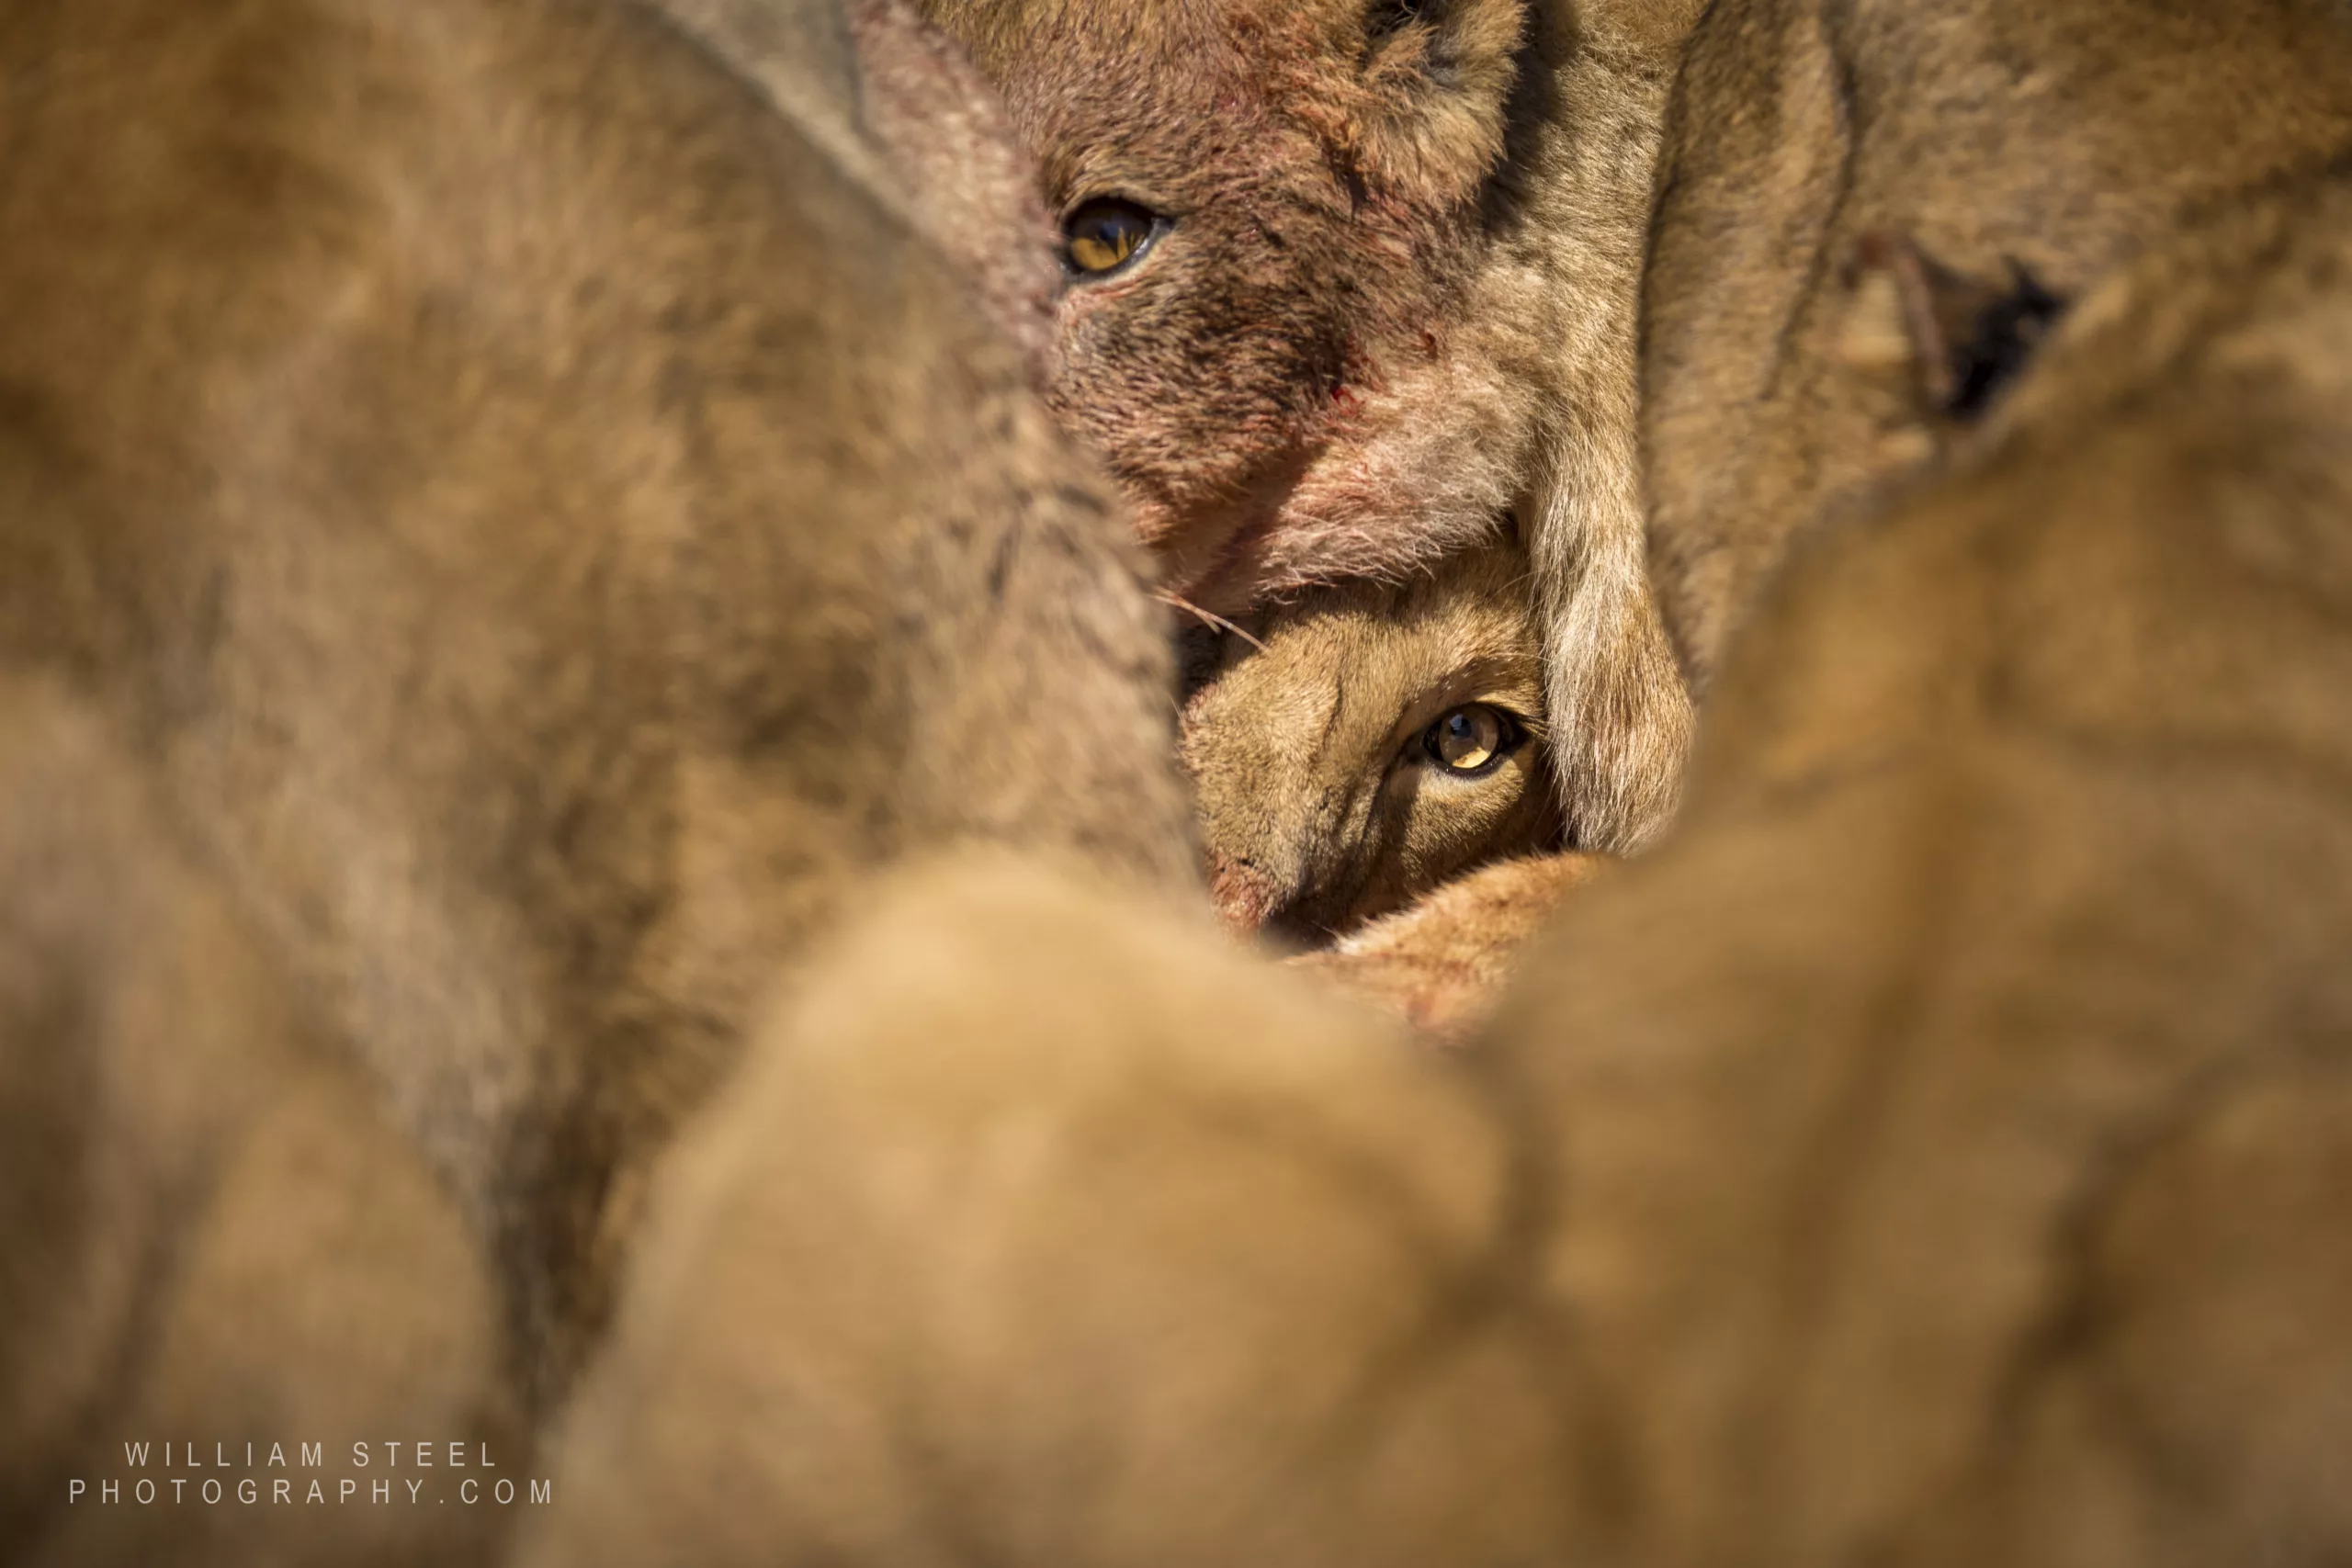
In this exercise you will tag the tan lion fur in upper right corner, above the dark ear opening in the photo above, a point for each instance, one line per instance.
(2062, 138)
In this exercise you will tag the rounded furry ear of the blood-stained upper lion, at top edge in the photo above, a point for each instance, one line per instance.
(1438, 79)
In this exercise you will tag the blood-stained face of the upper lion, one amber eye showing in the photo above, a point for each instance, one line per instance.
(1264, 217)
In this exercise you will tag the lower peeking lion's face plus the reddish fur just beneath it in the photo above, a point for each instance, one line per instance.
(1372, 749)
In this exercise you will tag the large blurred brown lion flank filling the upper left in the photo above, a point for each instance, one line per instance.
(547, 523)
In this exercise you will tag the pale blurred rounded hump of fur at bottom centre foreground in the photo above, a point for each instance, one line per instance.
(1053, 1231)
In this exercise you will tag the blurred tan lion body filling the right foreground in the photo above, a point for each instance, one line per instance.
(2024, 852)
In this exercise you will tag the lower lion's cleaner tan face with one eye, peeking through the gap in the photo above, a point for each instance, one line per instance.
(1365, 744)
